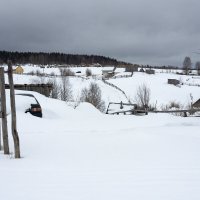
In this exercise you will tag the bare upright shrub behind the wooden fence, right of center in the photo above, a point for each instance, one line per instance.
(142, 96)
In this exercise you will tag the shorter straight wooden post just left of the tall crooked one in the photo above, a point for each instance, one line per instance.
(4, 112)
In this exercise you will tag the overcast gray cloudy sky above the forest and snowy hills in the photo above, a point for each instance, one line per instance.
(153, 32)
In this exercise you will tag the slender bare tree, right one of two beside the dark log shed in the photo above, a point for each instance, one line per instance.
(65, 89)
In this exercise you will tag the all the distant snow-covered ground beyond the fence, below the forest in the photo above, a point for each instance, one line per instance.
(161, 92)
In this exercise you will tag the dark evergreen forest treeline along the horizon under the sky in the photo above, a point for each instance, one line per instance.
(42, 58)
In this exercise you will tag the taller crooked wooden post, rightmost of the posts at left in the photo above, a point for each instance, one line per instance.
(13, 111)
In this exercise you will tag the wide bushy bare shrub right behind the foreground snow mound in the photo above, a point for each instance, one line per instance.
(93, 95)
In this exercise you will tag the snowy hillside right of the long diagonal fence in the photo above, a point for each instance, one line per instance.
(161, 92)
